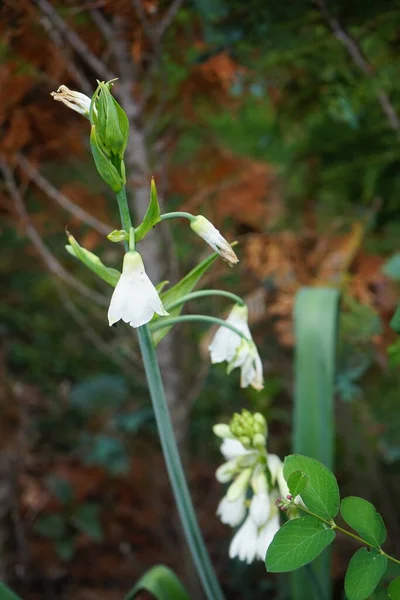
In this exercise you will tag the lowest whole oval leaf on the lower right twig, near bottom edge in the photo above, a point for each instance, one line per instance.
(364, 572)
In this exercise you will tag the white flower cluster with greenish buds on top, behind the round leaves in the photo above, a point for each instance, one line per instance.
(256, 484)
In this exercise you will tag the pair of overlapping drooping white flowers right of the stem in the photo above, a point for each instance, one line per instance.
(228, 346)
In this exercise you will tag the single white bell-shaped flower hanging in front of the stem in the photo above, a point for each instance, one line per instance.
(135, 299)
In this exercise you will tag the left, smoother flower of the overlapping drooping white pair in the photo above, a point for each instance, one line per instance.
(226, 342)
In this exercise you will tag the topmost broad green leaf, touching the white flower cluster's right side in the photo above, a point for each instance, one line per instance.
(321, 494)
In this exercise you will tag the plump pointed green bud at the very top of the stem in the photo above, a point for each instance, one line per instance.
(112, 125)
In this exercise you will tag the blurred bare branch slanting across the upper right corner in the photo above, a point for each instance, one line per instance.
(362, 63)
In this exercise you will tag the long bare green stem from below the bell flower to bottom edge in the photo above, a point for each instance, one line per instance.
(174, 467)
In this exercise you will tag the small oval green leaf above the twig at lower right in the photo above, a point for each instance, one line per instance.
(362, 516)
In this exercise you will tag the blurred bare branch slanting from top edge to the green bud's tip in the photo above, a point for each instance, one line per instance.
(75, 41)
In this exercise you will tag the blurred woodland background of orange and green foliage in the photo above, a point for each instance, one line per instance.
(278, 121)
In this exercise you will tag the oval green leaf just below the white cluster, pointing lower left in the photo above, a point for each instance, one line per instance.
(297, 543)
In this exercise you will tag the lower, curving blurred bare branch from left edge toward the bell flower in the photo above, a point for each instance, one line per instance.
(52, 263)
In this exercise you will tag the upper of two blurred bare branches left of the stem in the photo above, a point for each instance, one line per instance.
(60, 198)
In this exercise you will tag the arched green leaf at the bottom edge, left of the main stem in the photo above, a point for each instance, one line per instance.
(162, 583)
